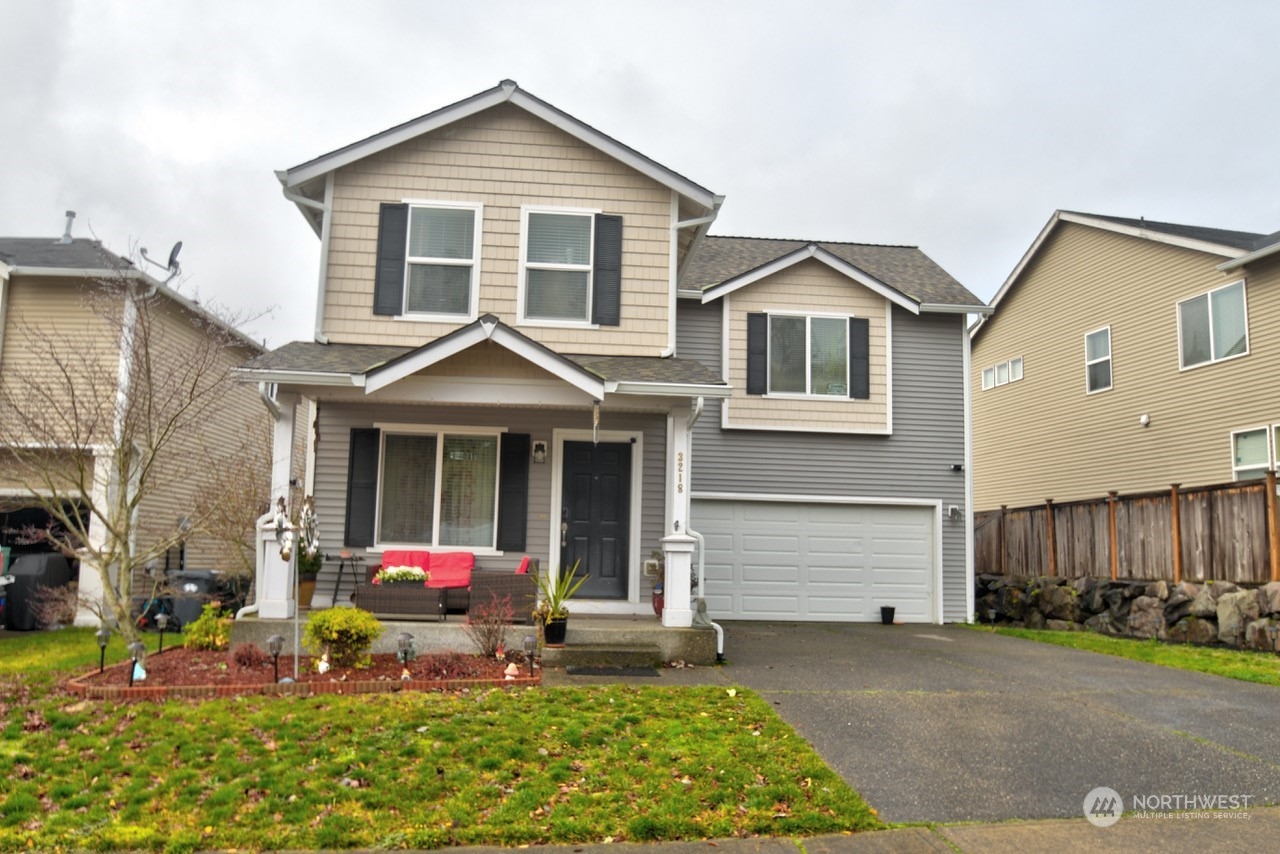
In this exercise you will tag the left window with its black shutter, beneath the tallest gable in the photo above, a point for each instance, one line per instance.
(428, 261)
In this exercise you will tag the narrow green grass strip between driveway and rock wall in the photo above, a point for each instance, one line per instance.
(1233, 664)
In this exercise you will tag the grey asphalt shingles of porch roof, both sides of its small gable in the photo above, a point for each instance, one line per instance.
(312, 358)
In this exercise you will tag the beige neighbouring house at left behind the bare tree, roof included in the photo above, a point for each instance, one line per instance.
(56, 290)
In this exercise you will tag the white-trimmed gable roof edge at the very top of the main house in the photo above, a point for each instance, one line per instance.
(301, 177)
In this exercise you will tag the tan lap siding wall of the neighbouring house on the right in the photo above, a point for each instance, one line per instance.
(1045, 439)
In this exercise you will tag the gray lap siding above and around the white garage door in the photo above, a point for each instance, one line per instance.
(915, 463)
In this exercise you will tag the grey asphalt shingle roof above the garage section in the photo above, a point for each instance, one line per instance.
(904, 268)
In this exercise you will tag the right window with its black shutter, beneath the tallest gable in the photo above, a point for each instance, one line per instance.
(572, 266)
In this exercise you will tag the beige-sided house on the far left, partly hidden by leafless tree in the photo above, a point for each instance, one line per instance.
(56, 298)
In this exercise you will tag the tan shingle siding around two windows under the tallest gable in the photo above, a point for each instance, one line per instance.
(504, 159)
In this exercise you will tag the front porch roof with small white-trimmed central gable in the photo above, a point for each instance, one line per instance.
(374, 367)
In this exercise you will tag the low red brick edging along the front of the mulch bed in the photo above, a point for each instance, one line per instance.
(79, 687)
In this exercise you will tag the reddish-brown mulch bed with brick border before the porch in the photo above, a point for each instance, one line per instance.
(195, 673)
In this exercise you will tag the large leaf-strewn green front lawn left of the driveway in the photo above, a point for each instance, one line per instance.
(488, 768)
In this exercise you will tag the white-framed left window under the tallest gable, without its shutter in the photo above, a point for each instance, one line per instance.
(441, 261)
